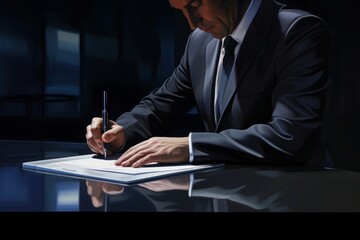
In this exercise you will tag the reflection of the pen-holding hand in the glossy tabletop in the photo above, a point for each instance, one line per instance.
(96, 191)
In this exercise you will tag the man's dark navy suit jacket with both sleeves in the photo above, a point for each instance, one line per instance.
(274, 100)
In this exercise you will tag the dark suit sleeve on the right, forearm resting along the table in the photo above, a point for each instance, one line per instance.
(297, 106)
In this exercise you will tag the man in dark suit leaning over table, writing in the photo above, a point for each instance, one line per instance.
(271, 108)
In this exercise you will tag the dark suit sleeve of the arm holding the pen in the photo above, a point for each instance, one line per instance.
(159, 109)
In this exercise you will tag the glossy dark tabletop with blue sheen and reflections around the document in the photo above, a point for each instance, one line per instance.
(229, 189)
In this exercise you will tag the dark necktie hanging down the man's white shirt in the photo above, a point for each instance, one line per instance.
(228, 62)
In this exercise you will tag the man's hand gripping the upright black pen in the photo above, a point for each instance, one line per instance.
(115, 136)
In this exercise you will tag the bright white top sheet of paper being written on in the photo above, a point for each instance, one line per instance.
(109, 166)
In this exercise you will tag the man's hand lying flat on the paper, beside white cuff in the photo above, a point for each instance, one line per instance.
(156, 149)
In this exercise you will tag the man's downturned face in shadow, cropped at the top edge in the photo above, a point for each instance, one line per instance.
(217, 17)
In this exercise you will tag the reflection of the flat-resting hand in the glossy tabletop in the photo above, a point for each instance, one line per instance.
(177, 183)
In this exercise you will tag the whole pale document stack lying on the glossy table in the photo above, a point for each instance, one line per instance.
(92, 167)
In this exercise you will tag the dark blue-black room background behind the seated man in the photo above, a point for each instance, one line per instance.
(56, 58)
